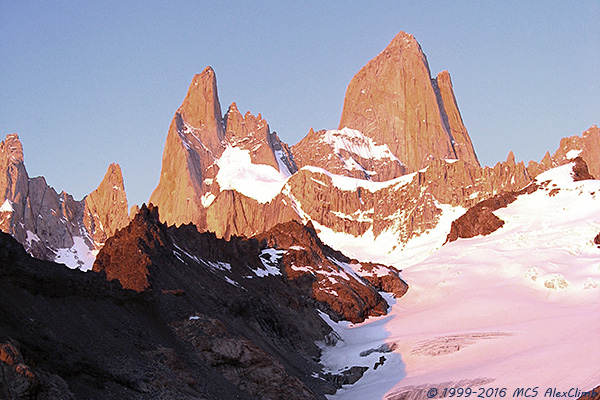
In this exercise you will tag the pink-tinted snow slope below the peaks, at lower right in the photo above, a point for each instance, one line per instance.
(515, 309)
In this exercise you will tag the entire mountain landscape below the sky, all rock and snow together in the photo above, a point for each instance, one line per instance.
(254, 262)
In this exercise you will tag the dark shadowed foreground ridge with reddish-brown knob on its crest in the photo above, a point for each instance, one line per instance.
(199, 318)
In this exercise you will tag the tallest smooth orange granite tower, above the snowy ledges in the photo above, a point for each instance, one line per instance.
(394, 101)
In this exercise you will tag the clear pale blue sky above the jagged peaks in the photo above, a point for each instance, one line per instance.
(88, 83)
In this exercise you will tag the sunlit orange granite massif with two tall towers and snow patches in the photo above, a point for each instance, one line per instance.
(401, 141)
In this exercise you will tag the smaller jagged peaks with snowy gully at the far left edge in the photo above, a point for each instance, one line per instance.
(54, 226)
